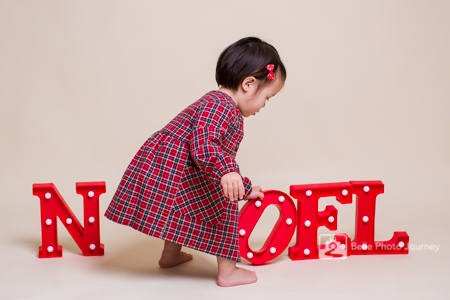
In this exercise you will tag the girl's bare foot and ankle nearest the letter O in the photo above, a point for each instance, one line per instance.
(230, 275)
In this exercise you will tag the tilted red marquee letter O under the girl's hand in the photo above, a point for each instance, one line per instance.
(281, 234)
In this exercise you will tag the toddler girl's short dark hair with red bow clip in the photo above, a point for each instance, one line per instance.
(247, 57)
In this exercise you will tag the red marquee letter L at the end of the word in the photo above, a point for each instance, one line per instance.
(366, 193)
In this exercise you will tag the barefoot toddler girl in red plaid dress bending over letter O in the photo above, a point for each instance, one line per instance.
(183, 184)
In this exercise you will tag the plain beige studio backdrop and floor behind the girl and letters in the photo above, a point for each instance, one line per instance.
(84, 83)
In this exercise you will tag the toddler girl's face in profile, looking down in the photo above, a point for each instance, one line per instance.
(252, 100)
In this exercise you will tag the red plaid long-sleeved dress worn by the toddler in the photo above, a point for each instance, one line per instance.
(171, 189)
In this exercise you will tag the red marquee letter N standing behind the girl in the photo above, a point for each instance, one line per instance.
(53, 204)
